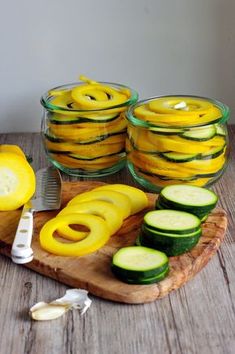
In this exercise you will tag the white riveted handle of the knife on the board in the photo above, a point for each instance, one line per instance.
(21, 251)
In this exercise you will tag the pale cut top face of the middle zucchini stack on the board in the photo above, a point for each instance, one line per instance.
(172, 221)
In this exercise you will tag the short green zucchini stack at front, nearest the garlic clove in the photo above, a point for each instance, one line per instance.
(135, 262)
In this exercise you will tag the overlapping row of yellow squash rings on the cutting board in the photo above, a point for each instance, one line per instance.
(101, 211)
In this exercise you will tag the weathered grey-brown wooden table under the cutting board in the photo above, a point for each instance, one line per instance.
(197, 318)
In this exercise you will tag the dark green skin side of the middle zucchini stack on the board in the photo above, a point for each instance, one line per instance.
(171, 246)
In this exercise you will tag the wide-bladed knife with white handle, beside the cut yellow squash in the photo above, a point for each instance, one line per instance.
(47, 197)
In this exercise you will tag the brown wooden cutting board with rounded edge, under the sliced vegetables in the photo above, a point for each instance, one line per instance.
(92, 272)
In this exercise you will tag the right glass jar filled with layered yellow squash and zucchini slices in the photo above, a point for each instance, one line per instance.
(177, 140)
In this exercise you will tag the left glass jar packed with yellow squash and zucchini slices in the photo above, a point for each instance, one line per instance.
(86, 142)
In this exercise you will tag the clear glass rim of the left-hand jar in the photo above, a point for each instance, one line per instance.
(51, 107)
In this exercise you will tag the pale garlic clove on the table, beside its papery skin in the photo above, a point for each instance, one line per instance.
(45, 312)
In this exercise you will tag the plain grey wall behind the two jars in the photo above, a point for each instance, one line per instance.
(155, 46)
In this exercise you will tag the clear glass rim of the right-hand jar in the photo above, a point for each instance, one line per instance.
(225, 112)
